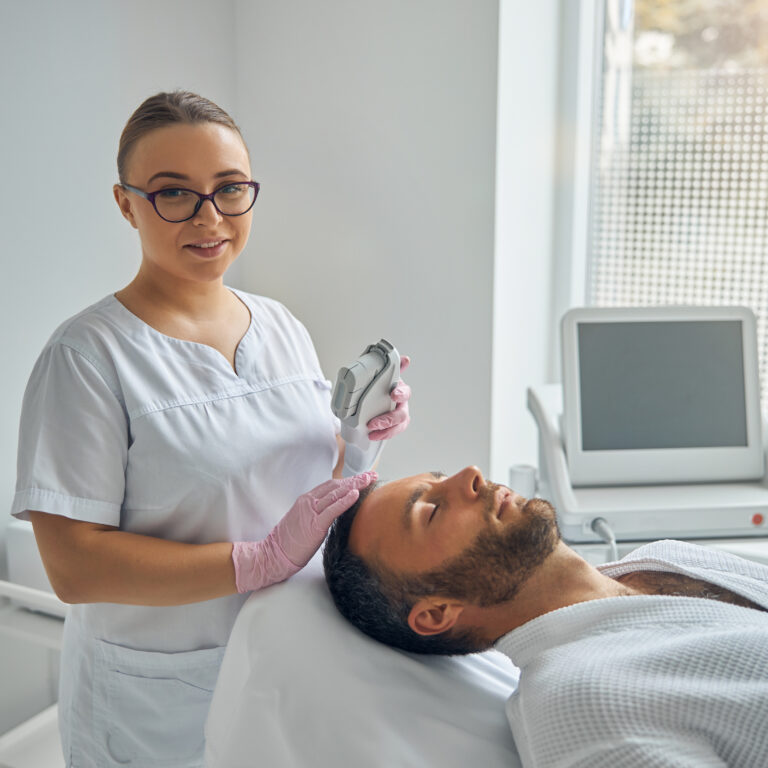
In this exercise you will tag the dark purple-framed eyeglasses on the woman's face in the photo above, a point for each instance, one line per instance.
(178, 204)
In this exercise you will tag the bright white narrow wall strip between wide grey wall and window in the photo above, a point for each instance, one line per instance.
(525, 198)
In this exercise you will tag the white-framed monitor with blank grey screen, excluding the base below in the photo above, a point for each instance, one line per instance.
(661, 395)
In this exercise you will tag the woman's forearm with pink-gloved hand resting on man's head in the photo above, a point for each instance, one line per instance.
(91, 563)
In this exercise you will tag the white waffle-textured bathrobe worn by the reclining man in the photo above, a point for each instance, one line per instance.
(647, 680)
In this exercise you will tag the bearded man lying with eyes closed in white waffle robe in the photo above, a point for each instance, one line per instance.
(660, 659)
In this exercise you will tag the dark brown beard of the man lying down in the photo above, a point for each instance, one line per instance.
(494, 567)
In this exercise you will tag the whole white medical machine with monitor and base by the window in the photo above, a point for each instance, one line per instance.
(656, 431)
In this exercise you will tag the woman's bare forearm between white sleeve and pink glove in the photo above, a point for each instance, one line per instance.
(90, 563)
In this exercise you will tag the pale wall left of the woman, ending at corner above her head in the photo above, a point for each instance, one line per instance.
(70, 75)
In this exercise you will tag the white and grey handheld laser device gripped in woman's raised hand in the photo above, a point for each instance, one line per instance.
(362, 391)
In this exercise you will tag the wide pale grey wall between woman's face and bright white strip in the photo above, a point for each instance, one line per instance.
(372, 127)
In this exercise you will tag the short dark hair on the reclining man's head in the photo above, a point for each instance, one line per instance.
(378, 601)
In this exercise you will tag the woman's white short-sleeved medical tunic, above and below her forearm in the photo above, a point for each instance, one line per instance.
(122, 425)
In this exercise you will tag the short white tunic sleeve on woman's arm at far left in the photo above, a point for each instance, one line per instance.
(73, 441)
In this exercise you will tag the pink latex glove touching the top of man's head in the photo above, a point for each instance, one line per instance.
(292, 542)
